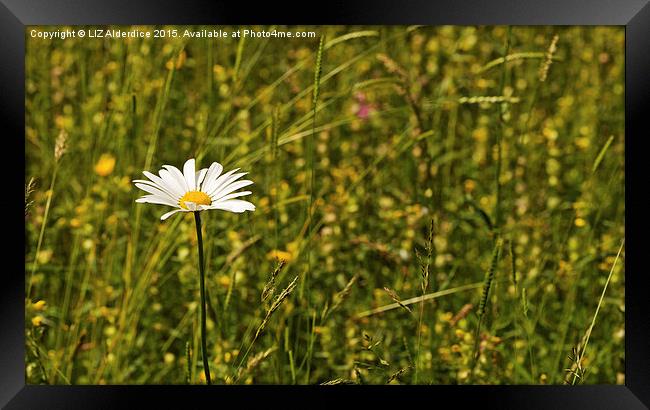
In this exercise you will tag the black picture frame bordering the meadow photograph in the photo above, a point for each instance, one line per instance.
(15, 15)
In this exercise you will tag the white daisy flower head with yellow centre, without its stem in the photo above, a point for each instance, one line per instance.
(192, 191)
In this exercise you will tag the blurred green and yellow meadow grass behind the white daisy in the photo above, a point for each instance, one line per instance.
(404, 132)
